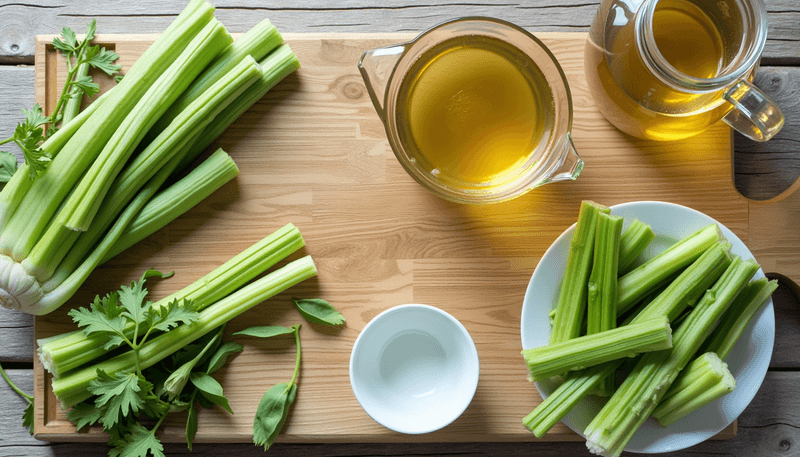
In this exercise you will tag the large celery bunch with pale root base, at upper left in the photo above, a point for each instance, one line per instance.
(98, 196)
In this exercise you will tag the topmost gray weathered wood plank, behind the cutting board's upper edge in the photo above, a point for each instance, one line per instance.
(22, 21)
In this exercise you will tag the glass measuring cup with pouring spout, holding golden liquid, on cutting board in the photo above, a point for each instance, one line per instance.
(445, 118)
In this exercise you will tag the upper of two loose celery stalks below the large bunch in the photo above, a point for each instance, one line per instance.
(68, 351)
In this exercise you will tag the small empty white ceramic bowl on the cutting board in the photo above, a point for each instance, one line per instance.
(414, 368)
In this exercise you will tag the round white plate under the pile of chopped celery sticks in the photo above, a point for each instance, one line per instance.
(748, 361)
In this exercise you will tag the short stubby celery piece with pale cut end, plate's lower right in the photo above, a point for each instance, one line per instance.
(707, 379)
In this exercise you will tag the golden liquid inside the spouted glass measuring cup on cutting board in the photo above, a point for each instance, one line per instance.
(473, 111)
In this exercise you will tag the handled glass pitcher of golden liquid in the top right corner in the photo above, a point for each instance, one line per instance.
(669, 69)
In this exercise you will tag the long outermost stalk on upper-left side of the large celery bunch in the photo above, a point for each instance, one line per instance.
(48, 191)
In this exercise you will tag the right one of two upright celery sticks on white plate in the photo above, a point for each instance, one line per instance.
(602, 294)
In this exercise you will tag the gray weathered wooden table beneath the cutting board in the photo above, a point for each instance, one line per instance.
(770, 426)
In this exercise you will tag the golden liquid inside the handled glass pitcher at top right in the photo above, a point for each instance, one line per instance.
(635, 100)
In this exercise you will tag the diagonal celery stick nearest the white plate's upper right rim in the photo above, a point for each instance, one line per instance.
(642, 280)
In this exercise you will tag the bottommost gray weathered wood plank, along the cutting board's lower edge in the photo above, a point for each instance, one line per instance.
(770, 426)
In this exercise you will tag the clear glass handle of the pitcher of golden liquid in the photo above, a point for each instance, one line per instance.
(754, 114)
